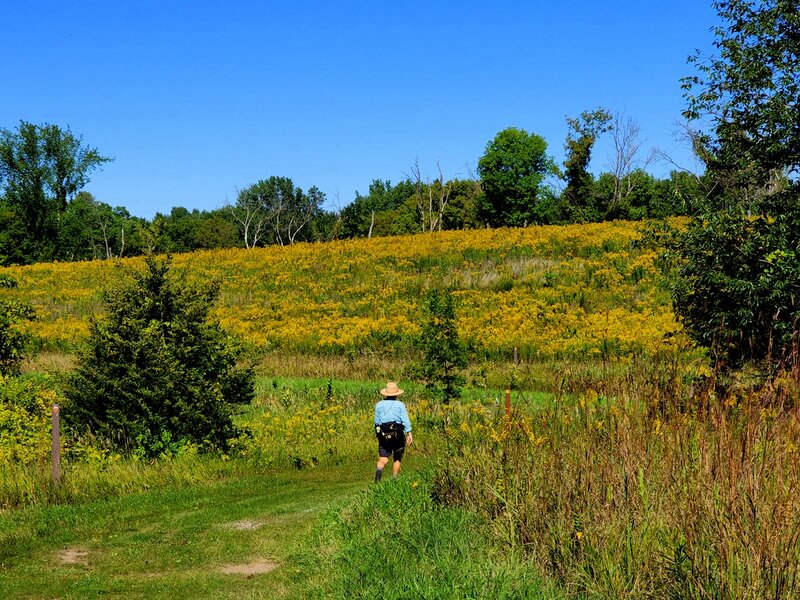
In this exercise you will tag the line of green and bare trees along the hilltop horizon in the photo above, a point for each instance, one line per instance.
(45, 213)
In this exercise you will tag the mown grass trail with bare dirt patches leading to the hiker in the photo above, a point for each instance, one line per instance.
(224, 540)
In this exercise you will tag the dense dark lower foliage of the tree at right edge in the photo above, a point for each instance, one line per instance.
(738, 289)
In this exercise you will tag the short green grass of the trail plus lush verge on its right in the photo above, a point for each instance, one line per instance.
(327, 532)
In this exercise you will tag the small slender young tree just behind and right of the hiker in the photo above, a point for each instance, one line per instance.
(445, 355)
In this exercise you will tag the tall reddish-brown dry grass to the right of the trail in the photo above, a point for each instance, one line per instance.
(646, 490)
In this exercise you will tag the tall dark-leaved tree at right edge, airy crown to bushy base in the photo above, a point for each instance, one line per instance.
(739, 284)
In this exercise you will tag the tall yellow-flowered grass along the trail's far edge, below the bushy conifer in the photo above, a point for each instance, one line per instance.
(293, 423)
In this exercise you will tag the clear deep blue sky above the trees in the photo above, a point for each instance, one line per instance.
(196, 100)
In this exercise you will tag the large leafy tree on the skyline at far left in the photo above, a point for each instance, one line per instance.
(41, 168)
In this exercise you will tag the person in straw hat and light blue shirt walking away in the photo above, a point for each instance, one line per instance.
(393, 429)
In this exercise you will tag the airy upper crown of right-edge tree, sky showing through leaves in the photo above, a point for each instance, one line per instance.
(748, 93)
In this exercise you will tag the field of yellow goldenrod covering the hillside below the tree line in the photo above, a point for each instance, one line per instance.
(550, 291)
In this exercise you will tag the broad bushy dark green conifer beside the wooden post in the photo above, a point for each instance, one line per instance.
(158, 372)
